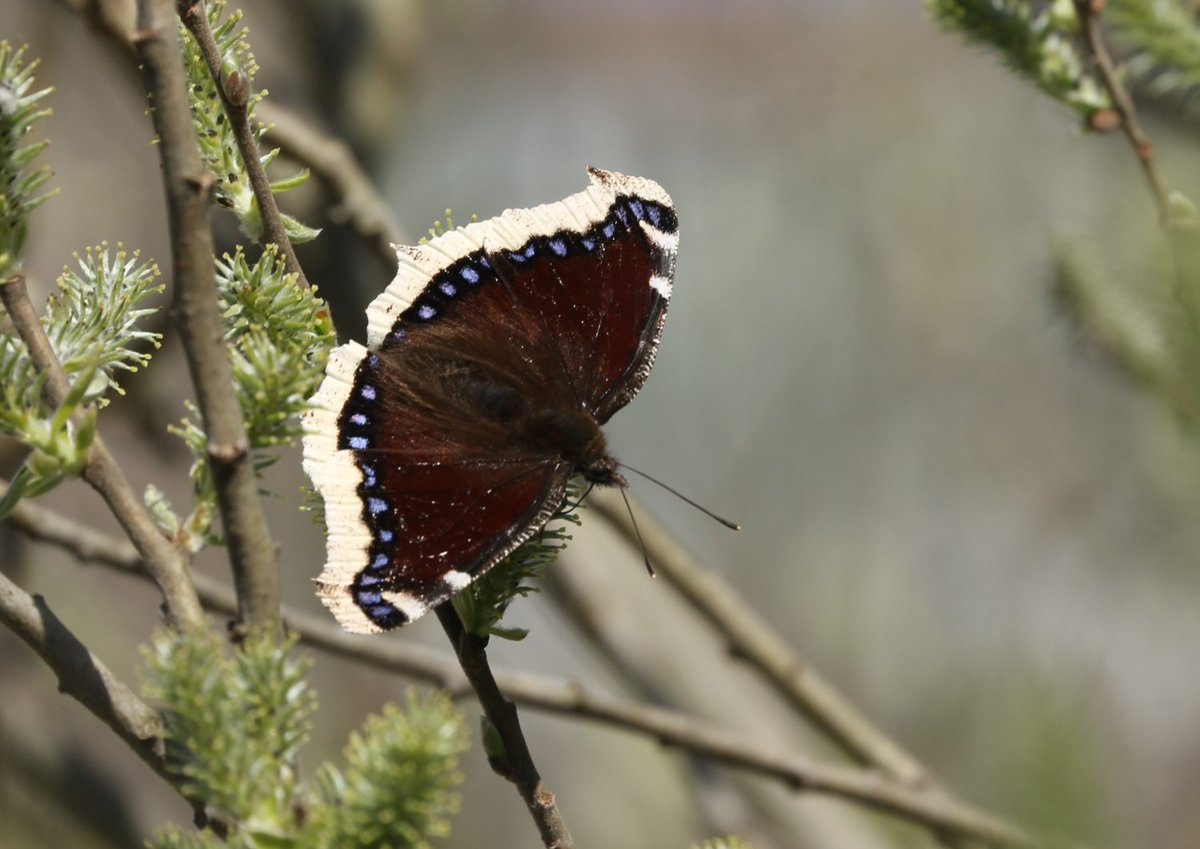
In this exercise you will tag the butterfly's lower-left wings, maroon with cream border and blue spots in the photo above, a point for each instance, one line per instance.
(416, 509)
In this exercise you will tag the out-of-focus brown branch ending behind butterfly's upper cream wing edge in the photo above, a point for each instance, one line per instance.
(332, 161)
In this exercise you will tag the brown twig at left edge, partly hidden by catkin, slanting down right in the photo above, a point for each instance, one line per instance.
(164, 562)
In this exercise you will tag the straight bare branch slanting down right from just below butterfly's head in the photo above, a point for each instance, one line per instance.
(754, 642)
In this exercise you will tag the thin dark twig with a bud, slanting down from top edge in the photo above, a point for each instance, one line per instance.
(235, 92)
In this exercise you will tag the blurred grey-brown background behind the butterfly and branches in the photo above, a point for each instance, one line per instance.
(953, 509)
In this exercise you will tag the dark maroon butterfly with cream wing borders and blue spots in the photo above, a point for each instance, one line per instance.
(493, 359)
